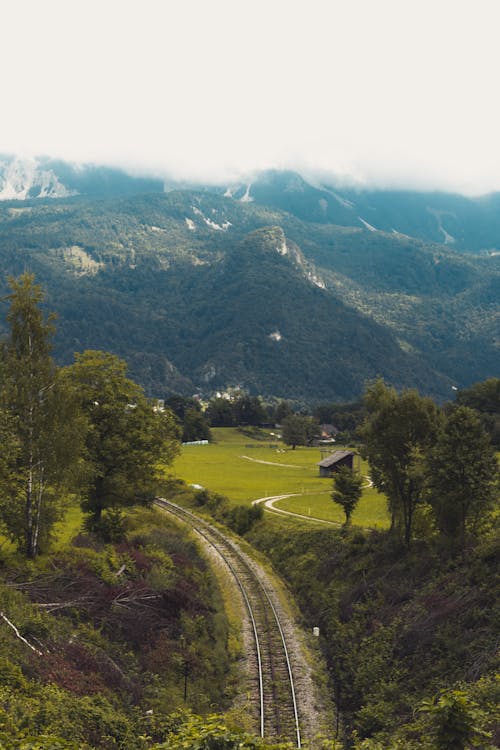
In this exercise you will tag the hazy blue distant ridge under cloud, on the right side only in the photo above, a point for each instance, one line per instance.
(465, 224)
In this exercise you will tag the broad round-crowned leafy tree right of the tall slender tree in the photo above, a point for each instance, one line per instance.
(128, 439)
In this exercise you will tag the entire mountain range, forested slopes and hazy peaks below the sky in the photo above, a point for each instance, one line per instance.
(281, 286)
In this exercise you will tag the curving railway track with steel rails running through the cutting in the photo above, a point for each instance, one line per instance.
(273, 679)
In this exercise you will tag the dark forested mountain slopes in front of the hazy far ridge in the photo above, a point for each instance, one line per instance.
(129, 276)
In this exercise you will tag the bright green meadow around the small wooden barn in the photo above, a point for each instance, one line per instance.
(230, 465)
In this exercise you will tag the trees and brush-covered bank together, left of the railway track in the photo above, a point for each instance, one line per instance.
(112, 625)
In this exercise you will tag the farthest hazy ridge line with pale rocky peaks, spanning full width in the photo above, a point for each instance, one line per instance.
(462, 223)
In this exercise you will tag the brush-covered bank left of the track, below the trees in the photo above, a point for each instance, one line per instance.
(122, 620)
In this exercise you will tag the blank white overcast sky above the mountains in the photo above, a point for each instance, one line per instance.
(387, 92)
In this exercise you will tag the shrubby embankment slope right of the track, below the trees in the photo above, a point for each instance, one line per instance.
(396, 626)
